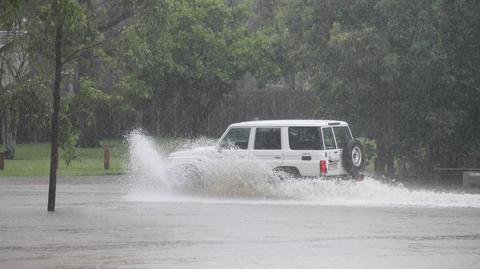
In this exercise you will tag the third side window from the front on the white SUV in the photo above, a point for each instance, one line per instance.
(305, 138)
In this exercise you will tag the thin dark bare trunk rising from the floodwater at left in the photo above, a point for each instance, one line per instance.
(56, 108)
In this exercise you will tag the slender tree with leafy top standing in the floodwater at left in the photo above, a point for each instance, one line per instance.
(63, 25)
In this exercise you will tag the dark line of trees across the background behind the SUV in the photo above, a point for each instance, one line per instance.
(405, 74)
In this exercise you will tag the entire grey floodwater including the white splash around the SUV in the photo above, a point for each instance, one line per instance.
(232, 219)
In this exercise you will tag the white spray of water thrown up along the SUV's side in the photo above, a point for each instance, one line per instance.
(230, 179)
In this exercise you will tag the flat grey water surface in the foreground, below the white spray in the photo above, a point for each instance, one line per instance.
(97, 224)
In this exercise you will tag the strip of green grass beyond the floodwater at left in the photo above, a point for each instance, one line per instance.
(34, 160)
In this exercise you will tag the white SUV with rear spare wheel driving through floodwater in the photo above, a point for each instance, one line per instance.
(301, 148)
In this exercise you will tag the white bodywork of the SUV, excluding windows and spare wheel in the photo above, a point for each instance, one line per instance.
(306, 161)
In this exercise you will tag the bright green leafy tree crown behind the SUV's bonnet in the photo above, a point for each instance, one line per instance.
(190, 53)
